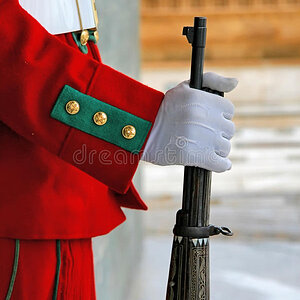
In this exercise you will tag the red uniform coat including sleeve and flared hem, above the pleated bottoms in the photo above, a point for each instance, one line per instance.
(45, 193)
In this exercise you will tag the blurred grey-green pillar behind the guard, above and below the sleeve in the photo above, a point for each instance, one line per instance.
(117, 254)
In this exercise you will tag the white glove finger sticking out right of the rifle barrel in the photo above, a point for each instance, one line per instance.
(219, 83)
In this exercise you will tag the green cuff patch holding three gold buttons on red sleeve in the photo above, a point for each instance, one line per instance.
(111, 131)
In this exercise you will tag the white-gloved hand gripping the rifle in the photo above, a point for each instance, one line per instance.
(193, 127)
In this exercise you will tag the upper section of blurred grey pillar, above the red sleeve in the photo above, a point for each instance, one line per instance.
(119, 34)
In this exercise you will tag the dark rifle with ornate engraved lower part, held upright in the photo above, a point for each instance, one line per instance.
(189, 267)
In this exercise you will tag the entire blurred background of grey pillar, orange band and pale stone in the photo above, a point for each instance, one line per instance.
(257, 41)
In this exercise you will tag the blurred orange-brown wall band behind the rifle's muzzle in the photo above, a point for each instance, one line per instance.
(237, 32)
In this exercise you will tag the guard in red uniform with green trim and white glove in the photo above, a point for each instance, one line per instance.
(59, 100)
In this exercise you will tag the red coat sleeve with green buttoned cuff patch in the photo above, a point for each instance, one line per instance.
(34, 68)
